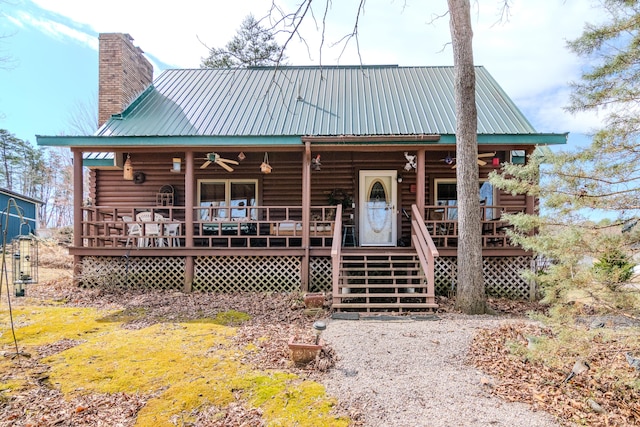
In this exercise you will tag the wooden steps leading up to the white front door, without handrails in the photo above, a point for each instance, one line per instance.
(381, 279)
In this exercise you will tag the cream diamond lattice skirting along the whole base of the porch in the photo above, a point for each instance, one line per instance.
(502, 275)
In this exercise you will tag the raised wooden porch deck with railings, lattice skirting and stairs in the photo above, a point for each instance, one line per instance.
(271, 249)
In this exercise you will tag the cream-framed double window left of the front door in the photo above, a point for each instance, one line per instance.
(228, 194)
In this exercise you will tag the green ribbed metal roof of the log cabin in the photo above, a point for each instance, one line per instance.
(310, 100)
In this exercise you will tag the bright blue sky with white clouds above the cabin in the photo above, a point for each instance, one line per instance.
(54, 67)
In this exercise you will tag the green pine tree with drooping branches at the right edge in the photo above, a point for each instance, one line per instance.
(599, 181)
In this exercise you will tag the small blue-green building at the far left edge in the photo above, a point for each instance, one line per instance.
(19, 214)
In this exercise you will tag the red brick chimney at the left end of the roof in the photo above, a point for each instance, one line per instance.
(123, 73)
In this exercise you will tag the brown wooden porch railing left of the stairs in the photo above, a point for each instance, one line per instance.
(213, 226)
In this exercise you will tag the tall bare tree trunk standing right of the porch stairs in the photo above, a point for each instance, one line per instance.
(470, 296)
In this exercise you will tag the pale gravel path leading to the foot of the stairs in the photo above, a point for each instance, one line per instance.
(413, 373)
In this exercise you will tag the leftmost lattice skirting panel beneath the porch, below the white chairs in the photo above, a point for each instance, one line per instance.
(158, 273)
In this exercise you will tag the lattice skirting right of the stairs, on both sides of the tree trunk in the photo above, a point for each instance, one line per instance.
(502, 276)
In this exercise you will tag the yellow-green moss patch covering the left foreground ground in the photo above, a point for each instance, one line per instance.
(185, 367)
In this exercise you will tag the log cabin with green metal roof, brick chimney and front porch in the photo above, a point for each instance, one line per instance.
(332, 178)
